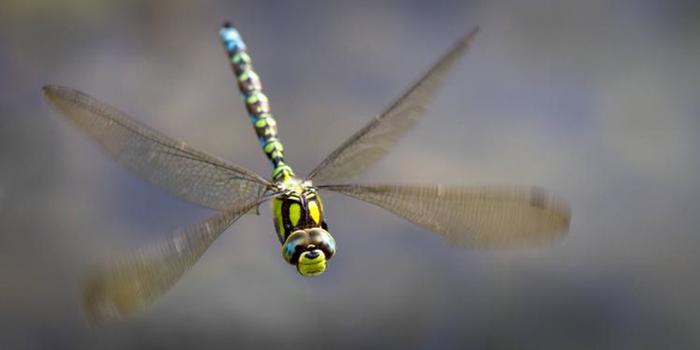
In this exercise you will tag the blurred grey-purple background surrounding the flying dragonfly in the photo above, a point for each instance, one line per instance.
(595, 100)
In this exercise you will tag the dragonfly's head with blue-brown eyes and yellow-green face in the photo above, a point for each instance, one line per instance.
(309, 250)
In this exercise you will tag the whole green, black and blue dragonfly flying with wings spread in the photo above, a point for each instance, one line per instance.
(466, 216)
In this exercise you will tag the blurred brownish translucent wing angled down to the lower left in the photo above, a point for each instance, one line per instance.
(129, 283)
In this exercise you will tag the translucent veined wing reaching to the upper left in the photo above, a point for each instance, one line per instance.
(170, 164)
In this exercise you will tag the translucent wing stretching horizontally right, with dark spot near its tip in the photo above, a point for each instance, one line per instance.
(486, 217)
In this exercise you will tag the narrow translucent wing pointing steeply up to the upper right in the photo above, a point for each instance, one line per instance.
(374, 140)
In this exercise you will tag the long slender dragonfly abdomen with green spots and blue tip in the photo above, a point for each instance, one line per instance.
(256, 101)
